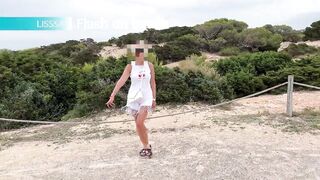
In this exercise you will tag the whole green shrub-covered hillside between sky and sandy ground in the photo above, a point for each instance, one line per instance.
(74, 79)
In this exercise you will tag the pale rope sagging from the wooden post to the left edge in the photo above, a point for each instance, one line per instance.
(155, 117)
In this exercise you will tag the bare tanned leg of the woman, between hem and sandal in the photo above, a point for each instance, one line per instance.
(141, 128)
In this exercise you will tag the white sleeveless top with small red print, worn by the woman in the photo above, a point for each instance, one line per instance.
(140, 76)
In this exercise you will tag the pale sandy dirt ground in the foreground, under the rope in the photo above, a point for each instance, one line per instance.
(249, 139)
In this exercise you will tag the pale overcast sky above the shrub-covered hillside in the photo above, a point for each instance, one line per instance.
(103, 19)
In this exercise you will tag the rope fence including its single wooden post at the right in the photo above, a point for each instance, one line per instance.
(289, 106)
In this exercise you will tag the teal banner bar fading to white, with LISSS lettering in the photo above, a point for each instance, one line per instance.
(33, 23)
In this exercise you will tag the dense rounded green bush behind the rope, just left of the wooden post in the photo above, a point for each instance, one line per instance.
(247, 73)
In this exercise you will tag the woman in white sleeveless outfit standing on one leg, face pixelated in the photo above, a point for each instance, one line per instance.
(142, 75)
